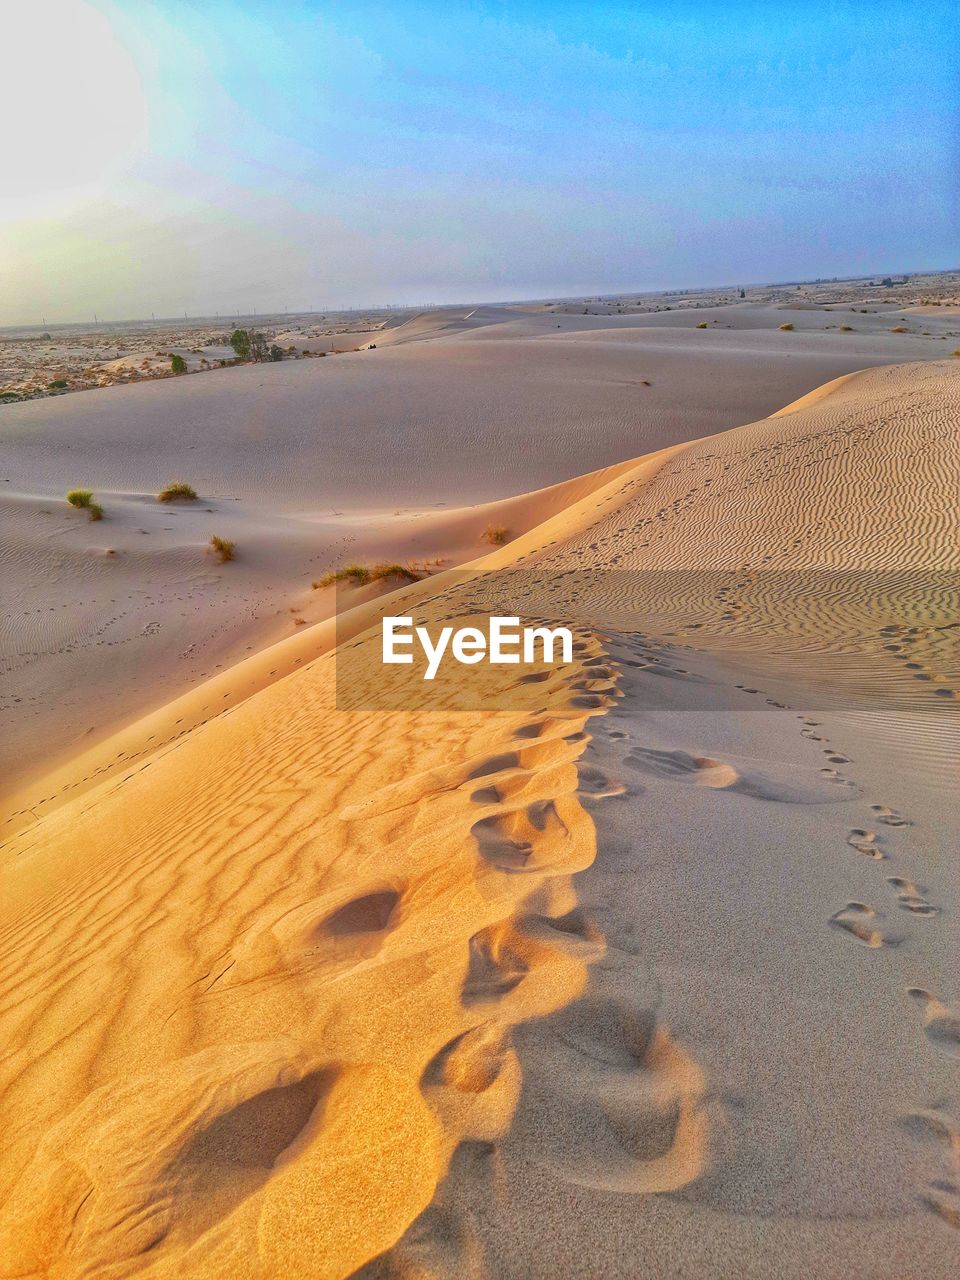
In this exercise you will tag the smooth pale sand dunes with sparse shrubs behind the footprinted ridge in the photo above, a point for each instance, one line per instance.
(310, 465)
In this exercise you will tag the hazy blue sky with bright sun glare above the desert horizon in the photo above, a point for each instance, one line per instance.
(230, 157)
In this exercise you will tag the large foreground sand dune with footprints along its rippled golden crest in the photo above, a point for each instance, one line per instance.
(651, 975)
